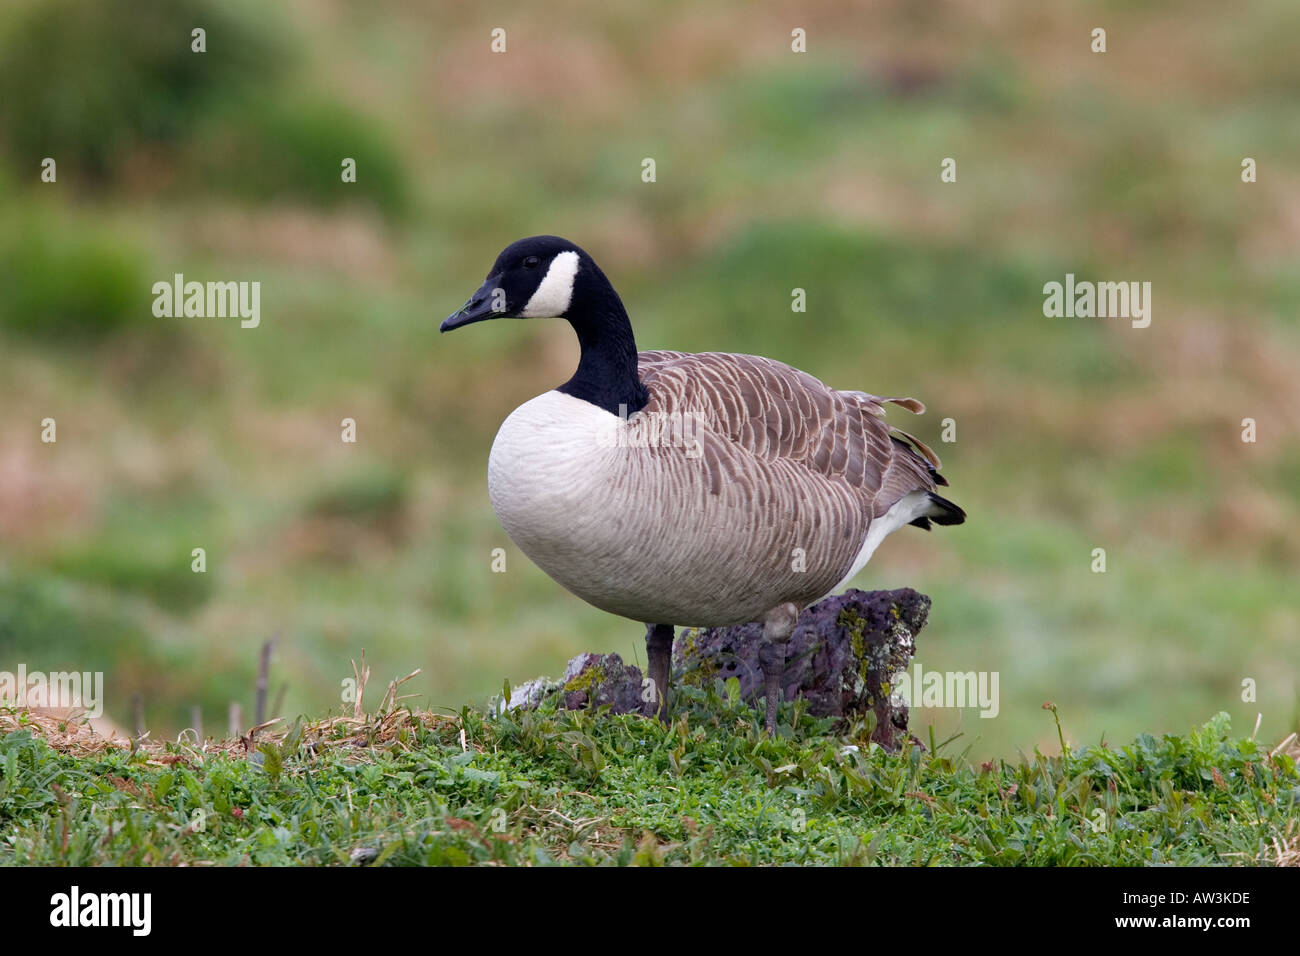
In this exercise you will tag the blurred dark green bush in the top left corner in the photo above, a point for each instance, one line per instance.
(128, 76)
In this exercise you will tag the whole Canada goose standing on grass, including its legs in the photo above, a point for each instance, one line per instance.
(744, 492)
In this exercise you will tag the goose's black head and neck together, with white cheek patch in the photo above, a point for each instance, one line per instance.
(549, 278)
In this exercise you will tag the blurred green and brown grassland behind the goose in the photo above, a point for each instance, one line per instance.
(775, 171)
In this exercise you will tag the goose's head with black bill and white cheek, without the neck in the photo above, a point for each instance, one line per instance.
(532, 279)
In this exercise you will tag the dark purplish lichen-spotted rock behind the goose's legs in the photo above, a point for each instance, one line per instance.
(840, 659)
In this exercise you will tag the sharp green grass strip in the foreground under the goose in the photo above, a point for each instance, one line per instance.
(574, 788)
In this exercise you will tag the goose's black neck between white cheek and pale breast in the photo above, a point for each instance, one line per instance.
(606, 374)
